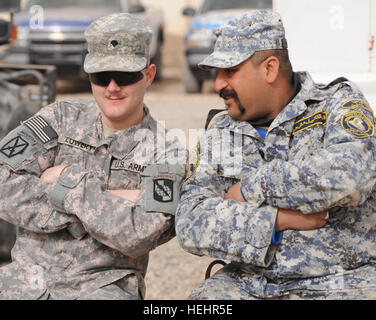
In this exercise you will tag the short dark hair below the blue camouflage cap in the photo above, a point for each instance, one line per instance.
(282, 55)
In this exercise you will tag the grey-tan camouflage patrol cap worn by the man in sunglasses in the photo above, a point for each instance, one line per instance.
(117, 42)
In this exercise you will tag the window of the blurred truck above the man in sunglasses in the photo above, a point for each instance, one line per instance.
(79, 4)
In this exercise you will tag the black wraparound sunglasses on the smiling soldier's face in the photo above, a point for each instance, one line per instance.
(103, 79)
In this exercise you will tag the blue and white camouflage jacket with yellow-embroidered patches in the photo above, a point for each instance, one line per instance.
(319, 153)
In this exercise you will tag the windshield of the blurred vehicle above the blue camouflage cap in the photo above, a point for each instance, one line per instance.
(210, 5)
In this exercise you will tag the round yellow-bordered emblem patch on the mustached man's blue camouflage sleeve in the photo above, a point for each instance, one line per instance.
(357, 124)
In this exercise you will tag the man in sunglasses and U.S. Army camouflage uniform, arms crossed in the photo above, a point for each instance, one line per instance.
(85, 182)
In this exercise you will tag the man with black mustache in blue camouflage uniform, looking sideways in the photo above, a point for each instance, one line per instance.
(295, 216)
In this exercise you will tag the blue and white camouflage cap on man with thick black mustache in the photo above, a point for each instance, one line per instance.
(240, 38)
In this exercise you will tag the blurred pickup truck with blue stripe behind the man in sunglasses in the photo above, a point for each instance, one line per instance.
(51, 32)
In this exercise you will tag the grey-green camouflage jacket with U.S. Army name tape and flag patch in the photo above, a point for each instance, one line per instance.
(73, 236)
